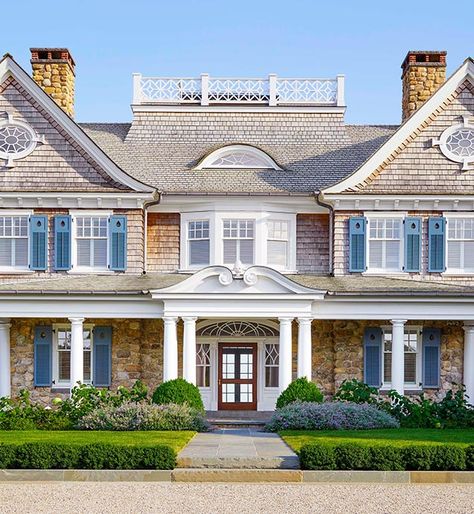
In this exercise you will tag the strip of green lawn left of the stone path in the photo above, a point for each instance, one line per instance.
(177, 440)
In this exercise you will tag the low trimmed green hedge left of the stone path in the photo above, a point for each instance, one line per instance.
(88, 456)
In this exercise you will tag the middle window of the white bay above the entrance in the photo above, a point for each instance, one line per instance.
(238, 238)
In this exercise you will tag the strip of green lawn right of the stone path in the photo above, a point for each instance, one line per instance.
(399, 437)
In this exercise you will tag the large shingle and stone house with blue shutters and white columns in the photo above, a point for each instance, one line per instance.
(237, 233)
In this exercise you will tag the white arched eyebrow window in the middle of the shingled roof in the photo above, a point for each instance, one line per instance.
(238, 157)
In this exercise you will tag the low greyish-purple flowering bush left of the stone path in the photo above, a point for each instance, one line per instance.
(144, 416)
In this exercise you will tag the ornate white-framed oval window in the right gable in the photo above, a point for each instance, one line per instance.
(457, 143)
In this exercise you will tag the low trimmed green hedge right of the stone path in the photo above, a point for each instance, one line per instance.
(415, 457)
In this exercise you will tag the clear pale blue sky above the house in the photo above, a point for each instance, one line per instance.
(364, 40)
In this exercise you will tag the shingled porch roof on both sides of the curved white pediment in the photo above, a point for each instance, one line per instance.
(131, 284)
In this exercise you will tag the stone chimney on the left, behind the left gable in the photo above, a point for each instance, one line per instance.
(53, 71)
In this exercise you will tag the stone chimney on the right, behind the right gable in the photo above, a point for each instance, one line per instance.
(422, 75)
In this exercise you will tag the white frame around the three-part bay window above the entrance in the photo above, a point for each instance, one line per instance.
(216, 227)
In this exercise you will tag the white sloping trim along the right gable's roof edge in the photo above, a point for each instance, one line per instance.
(405, 130)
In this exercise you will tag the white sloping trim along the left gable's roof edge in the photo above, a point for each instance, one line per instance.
(9, 68)
